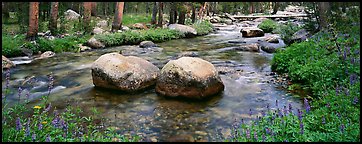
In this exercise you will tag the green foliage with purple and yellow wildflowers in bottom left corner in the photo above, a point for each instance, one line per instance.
(44, 123)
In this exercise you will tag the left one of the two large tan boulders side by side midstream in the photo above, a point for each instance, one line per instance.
(126, 73)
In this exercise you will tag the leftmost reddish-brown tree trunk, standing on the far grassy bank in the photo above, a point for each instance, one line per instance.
(33, 21)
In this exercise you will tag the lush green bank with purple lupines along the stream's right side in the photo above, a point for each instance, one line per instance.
(328, 65)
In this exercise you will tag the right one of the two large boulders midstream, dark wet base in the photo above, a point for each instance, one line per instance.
(189, 77)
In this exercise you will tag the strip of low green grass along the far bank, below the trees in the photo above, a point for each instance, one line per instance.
(12, 44)
